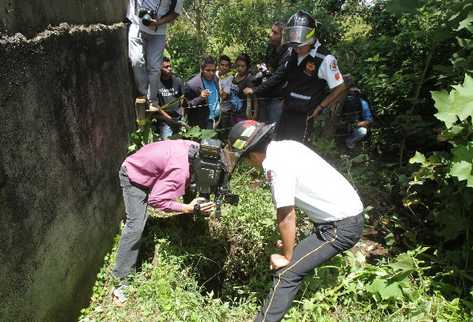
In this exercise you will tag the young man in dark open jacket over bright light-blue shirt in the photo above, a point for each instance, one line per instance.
(203, 96)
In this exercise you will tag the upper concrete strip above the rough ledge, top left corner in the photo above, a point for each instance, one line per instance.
(32, 16)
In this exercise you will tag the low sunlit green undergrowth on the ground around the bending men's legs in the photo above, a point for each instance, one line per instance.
(218, 271)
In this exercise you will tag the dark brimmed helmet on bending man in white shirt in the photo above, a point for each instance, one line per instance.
(242, 137)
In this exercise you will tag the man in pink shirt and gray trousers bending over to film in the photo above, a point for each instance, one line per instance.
(156, 175)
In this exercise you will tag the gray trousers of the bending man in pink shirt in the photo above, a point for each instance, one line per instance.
(136, 204)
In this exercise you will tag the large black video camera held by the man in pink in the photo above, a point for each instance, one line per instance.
(209, 174)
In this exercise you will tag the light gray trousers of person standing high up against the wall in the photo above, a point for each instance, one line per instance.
(146, 52)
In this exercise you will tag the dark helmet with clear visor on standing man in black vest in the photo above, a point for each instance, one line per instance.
(300, 30)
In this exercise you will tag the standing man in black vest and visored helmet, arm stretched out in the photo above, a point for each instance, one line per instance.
(308, 71)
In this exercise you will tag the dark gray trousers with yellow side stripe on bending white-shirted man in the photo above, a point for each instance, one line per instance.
(327, 241)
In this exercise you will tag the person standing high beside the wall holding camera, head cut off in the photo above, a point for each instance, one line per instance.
(147, 39)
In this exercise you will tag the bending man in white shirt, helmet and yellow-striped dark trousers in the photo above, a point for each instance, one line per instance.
(299, 178)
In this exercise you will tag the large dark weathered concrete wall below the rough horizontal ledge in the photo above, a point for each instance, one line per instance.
(65, 98)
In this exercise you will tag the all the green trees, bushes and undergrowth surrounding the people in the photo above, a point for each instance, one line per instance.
(414, 61)
